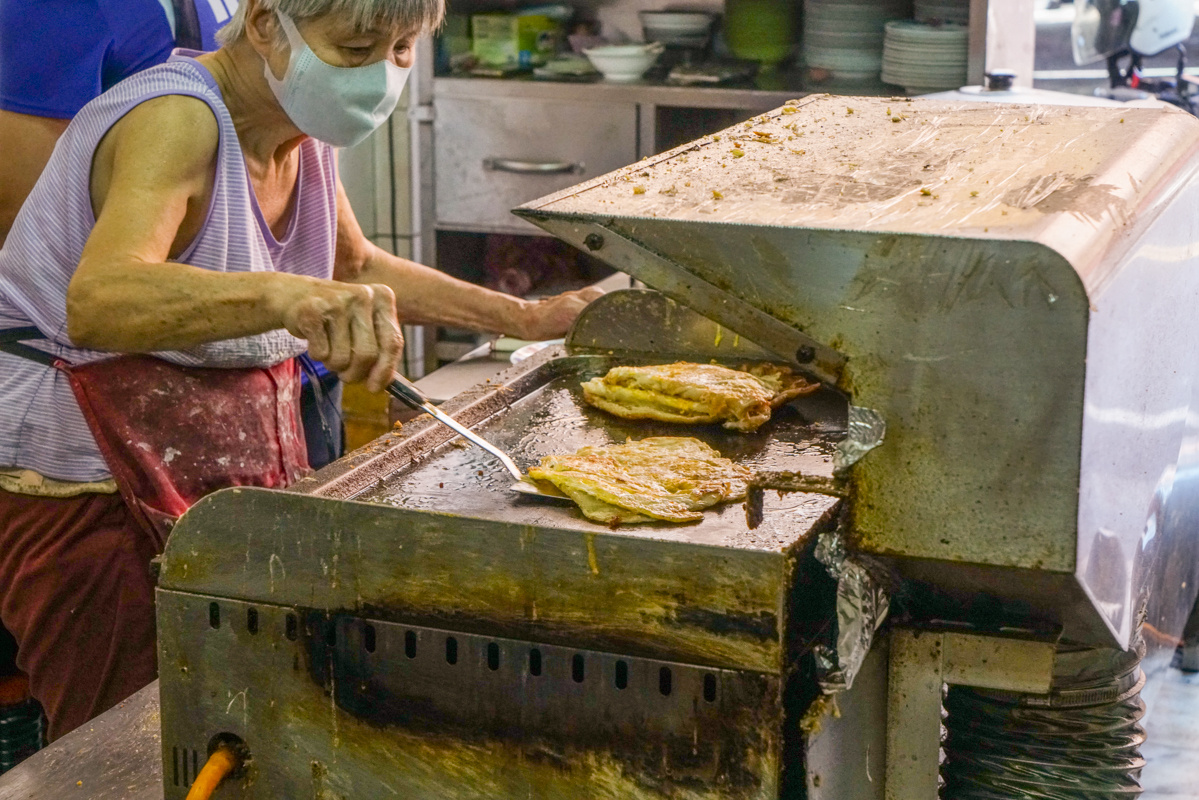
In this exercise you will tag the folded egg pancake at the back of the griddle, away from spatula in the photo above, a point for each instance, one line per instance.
(696, 394)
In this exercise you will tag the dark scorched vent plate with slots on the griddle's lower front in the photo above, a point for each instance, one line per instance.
(389, 673)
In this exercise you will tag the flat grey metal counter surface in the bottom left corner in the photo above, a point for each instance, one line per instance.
(113, 757)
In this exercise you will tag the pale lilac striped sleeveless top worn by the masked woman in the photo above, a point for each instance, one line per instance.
(41, 426)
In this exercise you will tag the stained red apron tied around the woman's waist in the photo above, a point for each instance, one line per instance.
(173, 435)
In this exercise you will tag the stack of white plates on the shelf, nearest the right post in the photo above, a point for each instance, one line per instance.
(924, 58)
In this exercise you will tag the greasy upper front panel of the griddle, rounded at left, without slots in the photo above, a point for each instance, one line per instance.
(659, 597)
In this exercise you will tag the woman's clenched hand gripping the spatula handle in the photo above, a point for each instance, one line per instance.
(350, 327)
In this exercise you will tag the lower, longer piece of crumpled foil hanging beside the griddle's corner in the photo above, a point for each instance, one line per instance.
(863, 604)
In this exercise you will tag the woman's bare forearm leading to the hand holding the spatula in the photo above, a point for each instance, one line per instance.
(146, 308)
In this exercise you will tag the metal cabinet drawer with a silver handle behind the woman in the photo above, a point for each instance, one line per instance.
(493, 155)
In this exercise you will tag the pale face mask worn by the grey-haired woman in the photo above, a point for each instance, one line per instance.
(341, 106)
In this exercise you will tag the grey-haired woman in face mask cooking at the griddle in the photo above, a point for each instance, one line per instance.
(194, 213)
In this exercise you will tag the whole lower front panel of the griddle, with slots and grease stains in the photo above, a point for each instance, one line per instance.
(333, 712)
